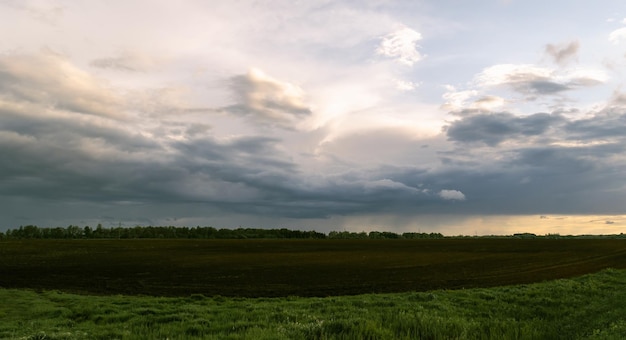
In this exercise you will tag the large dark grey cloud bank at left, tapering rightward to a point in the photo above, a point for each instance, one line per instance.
(61, 157)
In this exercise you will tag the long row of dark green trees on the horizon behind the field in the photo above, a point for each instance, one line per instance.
(171, 232)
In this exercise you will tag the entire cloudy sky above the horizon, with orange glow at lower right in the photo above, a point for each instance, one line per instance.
(460, 117)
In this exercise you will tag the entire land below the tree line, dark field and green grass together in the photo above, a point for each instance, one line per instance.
(475, 288)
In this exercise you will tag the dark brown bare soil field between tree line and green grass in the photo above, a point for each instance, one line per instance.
(269, 268)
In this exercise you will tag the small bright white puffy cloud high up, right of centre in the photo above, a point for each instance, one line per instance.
(401, 45)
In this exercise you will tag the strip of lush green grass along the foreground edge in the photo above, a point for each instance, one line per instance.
(588, 307)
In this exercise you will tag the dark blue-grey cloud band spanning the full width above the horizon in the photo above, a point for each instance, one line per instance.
(253, 176)
